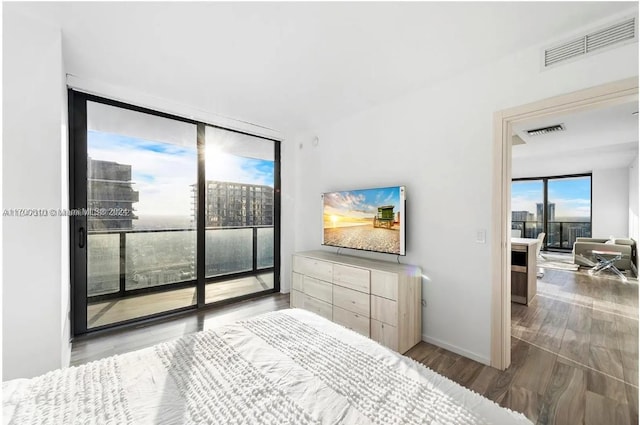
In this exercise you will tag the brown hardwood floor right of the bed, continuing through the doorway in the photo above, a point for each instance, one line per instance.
(574, 354)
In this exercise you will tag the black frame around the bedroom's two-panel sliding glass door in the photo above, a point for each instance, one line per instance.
(77, 107)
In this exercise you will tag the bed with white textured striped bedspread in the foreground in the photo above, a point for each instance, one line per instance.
(284, 367)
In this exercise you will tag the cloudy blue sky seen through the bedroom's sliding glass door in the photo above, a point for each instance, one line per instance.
(164, 172)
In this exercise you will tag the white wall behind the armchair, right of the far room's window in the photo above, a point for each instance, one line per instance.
(610, 203)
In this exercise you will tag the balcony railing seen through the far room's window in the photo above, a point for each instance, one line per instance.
(559, 234)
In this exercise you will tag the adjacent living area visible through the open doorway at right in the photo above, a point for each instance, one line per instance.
(573, 317)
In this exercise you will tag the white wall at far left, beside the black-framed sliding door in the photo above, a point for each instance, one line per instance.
(35, 266)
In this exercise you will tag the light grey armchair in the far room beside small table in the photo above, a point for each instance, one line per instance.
(582, 248)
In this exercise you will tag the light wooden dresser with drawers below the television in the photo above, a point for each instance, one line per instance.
(378, 299)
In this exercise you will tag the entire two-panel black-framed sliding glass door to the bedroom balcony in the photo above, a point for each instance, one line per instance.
(139, 247)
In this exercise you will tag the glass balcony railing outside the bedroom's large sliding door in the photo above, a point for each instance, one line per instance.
(122, 262)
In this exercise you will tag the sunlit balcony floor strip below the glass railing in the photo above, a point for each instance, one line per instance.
(107, 312)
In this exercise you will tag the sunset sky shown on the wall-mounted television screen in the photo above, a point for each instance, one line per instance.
(361, 203)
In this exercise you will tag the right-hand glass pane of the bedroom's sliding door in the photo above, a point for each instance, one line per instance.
(239, 220)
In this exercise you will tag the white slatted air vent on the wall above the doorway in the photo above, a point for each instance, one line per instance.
(612, 35)
